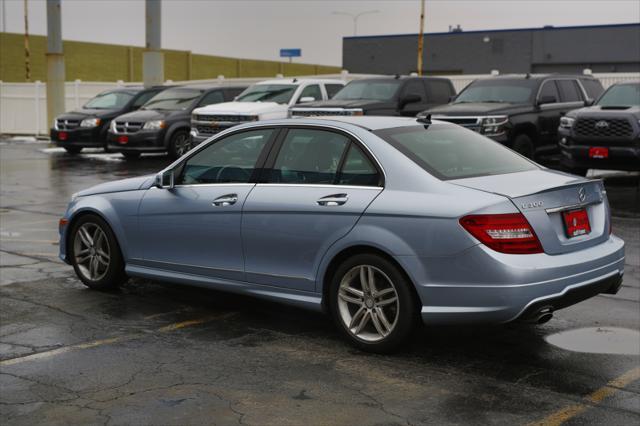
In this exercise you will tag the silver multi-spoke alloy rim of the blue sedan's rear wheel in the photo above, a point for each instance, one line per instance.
(368, 303)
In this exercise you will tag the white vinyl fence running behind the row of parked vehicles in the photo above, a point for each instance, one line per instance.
(23, 106)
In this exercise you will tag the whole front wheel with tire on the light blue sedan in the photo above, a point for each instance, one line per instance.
(95, 254)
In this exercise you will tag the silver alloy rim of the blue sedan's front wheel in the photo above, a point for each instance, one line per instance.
(91, 251)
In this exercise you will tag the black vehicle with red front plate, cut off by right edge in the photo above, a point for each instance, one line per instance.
(605, 135)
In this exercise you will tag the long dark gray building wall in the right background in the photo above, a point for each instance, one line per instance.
(607, 48)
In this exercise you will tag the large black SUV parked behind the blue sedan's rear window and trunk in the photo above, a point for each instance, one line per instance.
(524, 112)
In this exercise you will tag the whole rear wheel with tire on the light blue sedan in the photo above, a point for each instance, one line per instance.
(372, 303)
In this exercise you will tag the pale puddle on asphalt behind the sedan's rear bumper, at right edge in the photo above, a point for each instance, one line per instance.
(598, 340)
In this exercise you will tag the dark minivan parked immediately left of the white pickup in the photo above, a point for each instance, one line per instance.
(163, 123)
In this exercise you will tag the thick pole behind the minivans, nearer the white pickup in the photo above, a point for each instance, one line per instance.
(153, 58)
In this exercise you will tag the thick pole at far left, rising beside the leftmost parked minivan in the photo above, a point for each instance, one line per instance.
(55, 61)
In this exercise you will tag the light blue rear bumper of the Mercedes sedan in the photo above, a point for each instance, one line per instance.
(480, 285)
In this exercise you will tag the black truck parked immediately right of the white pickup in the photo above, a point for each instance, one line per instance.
(382, 96)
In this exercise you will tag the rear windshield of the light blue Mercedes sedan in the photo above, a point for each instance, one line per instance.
(452, 152)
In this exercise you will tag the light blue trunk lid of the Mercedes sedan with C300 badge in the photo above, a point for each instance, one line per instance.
(542, 196)
